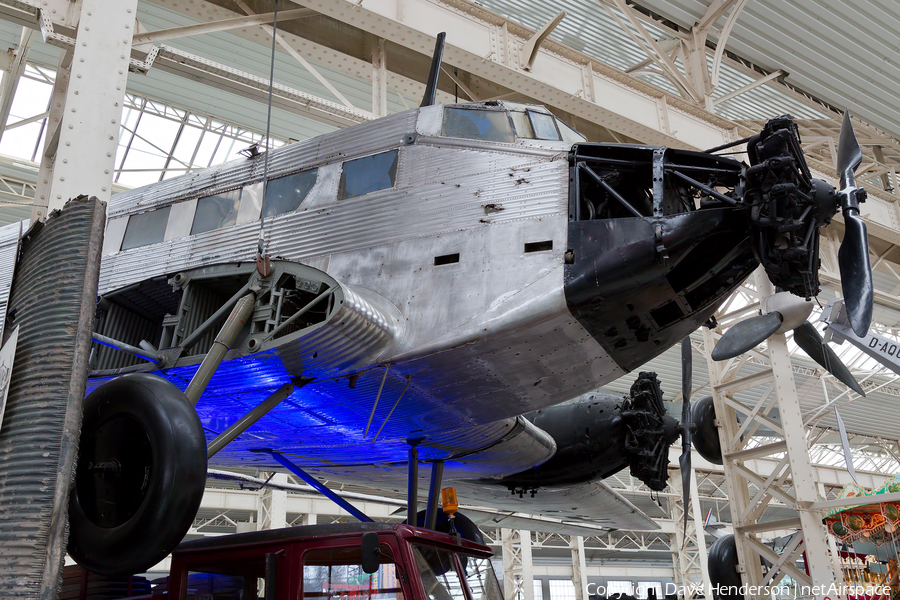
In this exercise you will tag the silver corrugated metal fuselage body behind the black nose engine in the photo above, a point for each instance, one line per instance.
(486, 338)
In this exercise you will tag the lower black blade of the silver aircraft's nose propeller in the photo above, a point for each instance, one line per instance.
(856, 273)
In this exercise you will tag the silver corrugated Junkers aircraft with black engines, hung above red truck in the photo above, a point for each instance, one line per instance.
(423, 281)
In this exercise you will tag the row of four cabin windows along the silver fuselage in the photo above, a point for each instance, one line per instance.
(283, 195)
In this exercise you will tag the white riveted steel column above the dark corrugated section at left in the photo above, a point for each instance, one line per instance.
(80, 147)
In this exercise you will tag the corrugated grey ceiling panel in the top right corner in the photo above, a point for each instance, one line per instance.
(843, 52)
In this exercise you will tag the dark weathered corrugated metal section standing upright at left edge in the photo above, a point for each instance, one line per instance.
(52, 300)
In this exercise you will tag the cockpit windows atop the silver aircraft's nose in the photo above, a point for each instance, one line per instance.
(521, 121)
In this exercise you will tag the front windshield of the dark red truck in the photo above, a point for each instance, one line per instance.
(442, 582)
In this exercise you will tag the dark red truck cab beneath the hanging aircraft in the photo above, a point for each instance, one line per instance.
(326, 562)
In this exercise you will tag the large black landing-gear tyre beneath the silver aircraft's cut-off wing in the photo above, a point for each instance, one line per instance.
(126, 523)
